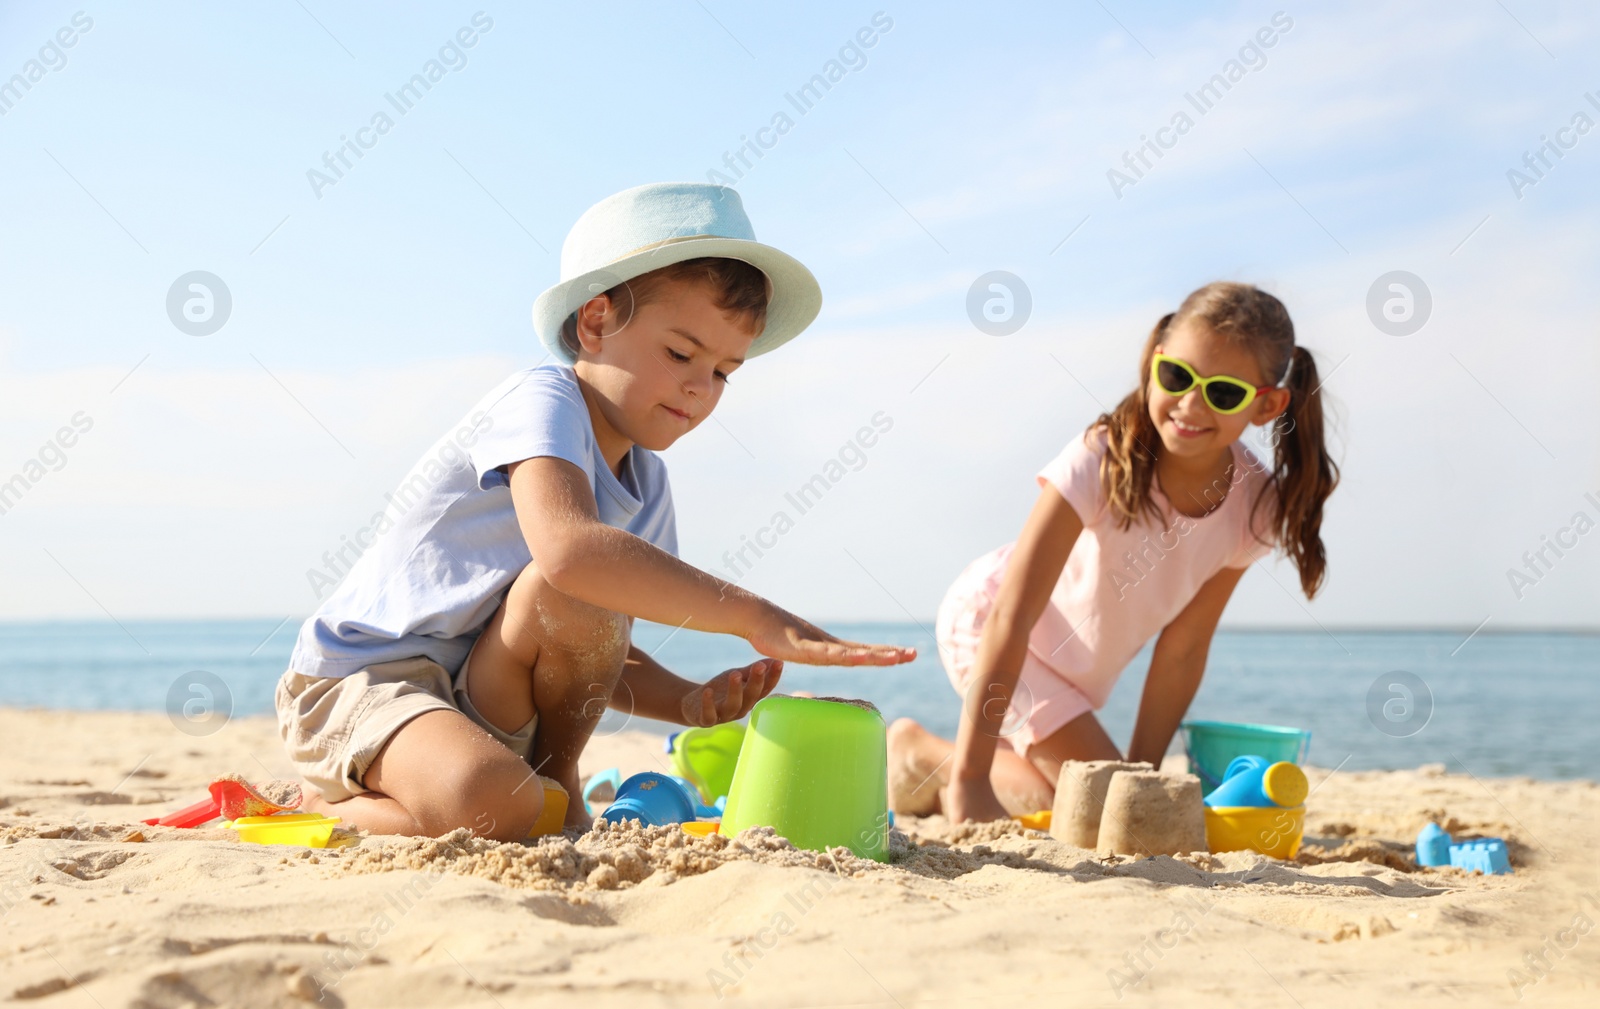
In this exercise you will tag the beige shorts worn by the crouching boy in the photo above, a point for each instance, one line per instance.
(334, 727)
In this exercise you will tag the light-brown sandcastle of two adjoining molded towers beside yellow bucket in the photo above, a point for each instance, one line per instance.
(1129, 810)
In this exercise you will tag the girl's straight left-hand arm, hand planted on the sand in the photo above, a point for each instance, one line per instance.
(1031, 575)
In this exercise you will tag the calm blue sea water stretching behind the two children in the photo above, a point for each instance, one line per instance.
(1489, 704)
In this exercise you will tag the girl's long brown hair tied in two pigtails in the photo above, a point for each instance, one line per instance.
(1303, 474)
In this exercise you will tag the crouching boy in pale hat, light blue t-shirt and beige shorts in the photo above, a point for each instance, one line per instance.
(482, 637)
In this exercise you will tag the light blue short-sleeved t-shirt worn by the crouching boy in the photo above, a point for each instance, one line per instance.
(433, 578)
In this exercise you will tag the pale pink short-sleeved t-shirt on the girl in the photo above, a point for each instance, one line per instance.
(1124, 586)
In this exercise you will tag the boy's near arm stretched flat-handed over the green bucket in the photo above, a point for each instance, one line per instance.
(615, 570)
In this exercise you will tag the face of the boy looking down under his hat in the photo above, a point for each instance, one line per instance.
(662, 372)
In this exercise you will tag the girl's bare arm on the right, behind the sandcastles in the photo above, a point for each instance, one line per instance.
(1177, 668)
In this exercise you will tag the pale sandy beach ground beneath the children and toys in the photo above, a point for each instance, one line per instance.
(100, 911)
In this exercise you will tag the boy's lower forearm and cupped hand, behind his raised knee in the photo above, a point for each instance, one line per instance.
(650, 692)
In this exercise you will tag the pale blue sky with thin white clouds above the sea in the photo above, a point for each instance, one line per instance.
(370, 316)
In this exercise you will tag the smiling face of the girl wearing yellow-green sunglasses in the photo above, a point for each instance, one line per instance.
(1186, 423)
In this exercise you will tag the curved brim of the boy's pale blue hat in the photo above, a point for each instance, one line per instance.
(796, 301)
